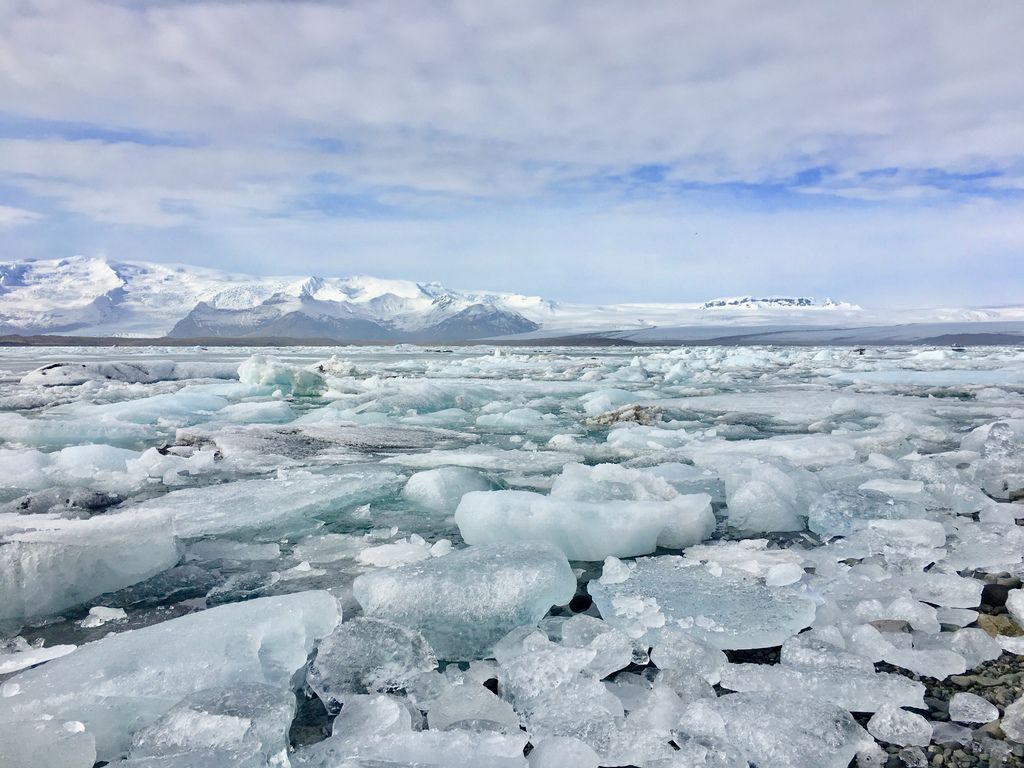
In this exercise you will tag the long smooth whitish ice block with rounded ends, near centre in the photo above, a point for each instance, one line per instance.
(584, 531)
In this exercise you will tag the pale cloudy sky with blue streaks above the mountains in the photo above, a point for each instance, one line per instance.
(594, 152)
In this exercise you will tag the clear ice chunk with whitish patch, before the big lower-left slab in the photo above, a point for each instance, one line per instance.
(238, 724)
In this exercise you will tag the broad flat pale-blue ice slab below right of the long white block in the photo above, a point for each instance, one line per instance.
(729, 612)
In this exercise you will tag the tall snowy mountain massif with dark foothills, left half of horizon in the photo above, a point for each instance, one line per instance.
(94, 297)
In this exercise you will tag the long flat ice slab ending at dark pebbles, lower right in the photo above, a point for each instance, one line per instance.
(858, 692)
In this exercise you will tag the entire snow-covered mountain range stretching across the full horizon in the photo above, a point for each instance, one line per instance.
(94, 297)
